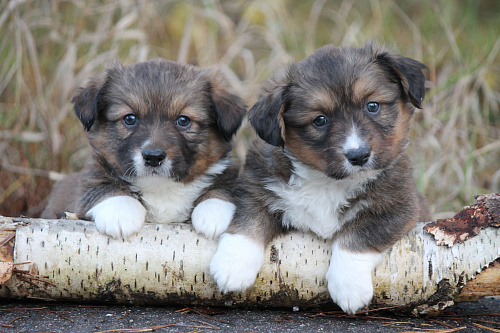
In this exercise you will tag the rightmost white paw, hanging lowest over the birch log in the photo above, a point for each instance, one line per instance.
(349, 278)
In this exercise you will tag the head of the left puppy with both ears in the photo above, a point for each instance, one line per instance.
(159, 118)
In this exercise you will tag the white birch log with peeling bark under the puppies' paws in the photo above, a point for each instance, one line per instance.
(169, 264)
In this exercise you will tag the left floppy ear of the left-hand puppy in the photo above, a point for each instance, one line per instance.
(86, 101)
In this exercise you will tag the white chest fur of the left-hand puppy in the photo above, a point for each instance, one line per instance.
(169, 201)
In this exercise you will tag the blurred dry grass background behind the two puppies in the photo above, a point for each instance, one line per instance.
(49, 48)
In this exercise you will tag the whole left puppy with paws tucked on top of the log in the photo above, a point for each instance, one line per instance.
(160, 133)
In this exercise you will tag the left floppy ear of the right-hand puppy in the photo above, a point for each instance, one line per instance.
(266, 116)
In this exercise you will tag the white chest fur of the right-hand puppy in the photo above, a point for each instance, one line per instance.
(312, 201)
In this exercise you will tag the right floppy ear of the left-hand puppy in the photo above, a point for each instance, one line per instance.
(229, 108)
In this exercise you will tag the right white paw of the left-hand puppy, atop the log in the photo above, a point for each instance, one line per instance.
(212, 217)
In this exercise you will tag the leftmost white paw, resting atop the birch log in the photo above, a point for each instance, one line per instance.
(119, 217)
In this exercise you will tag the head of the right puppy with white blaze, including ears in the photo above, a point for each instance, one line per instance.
(342, 110)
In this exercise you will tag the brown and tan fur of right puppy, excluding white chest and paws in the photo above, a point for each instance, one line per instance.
(337, 83)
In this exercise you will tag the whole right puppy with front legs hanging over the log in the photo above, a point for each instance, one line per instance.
(332, 160)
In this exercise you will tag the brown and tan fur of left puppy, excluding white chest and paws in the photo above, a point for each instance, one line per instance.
(157, 93)
